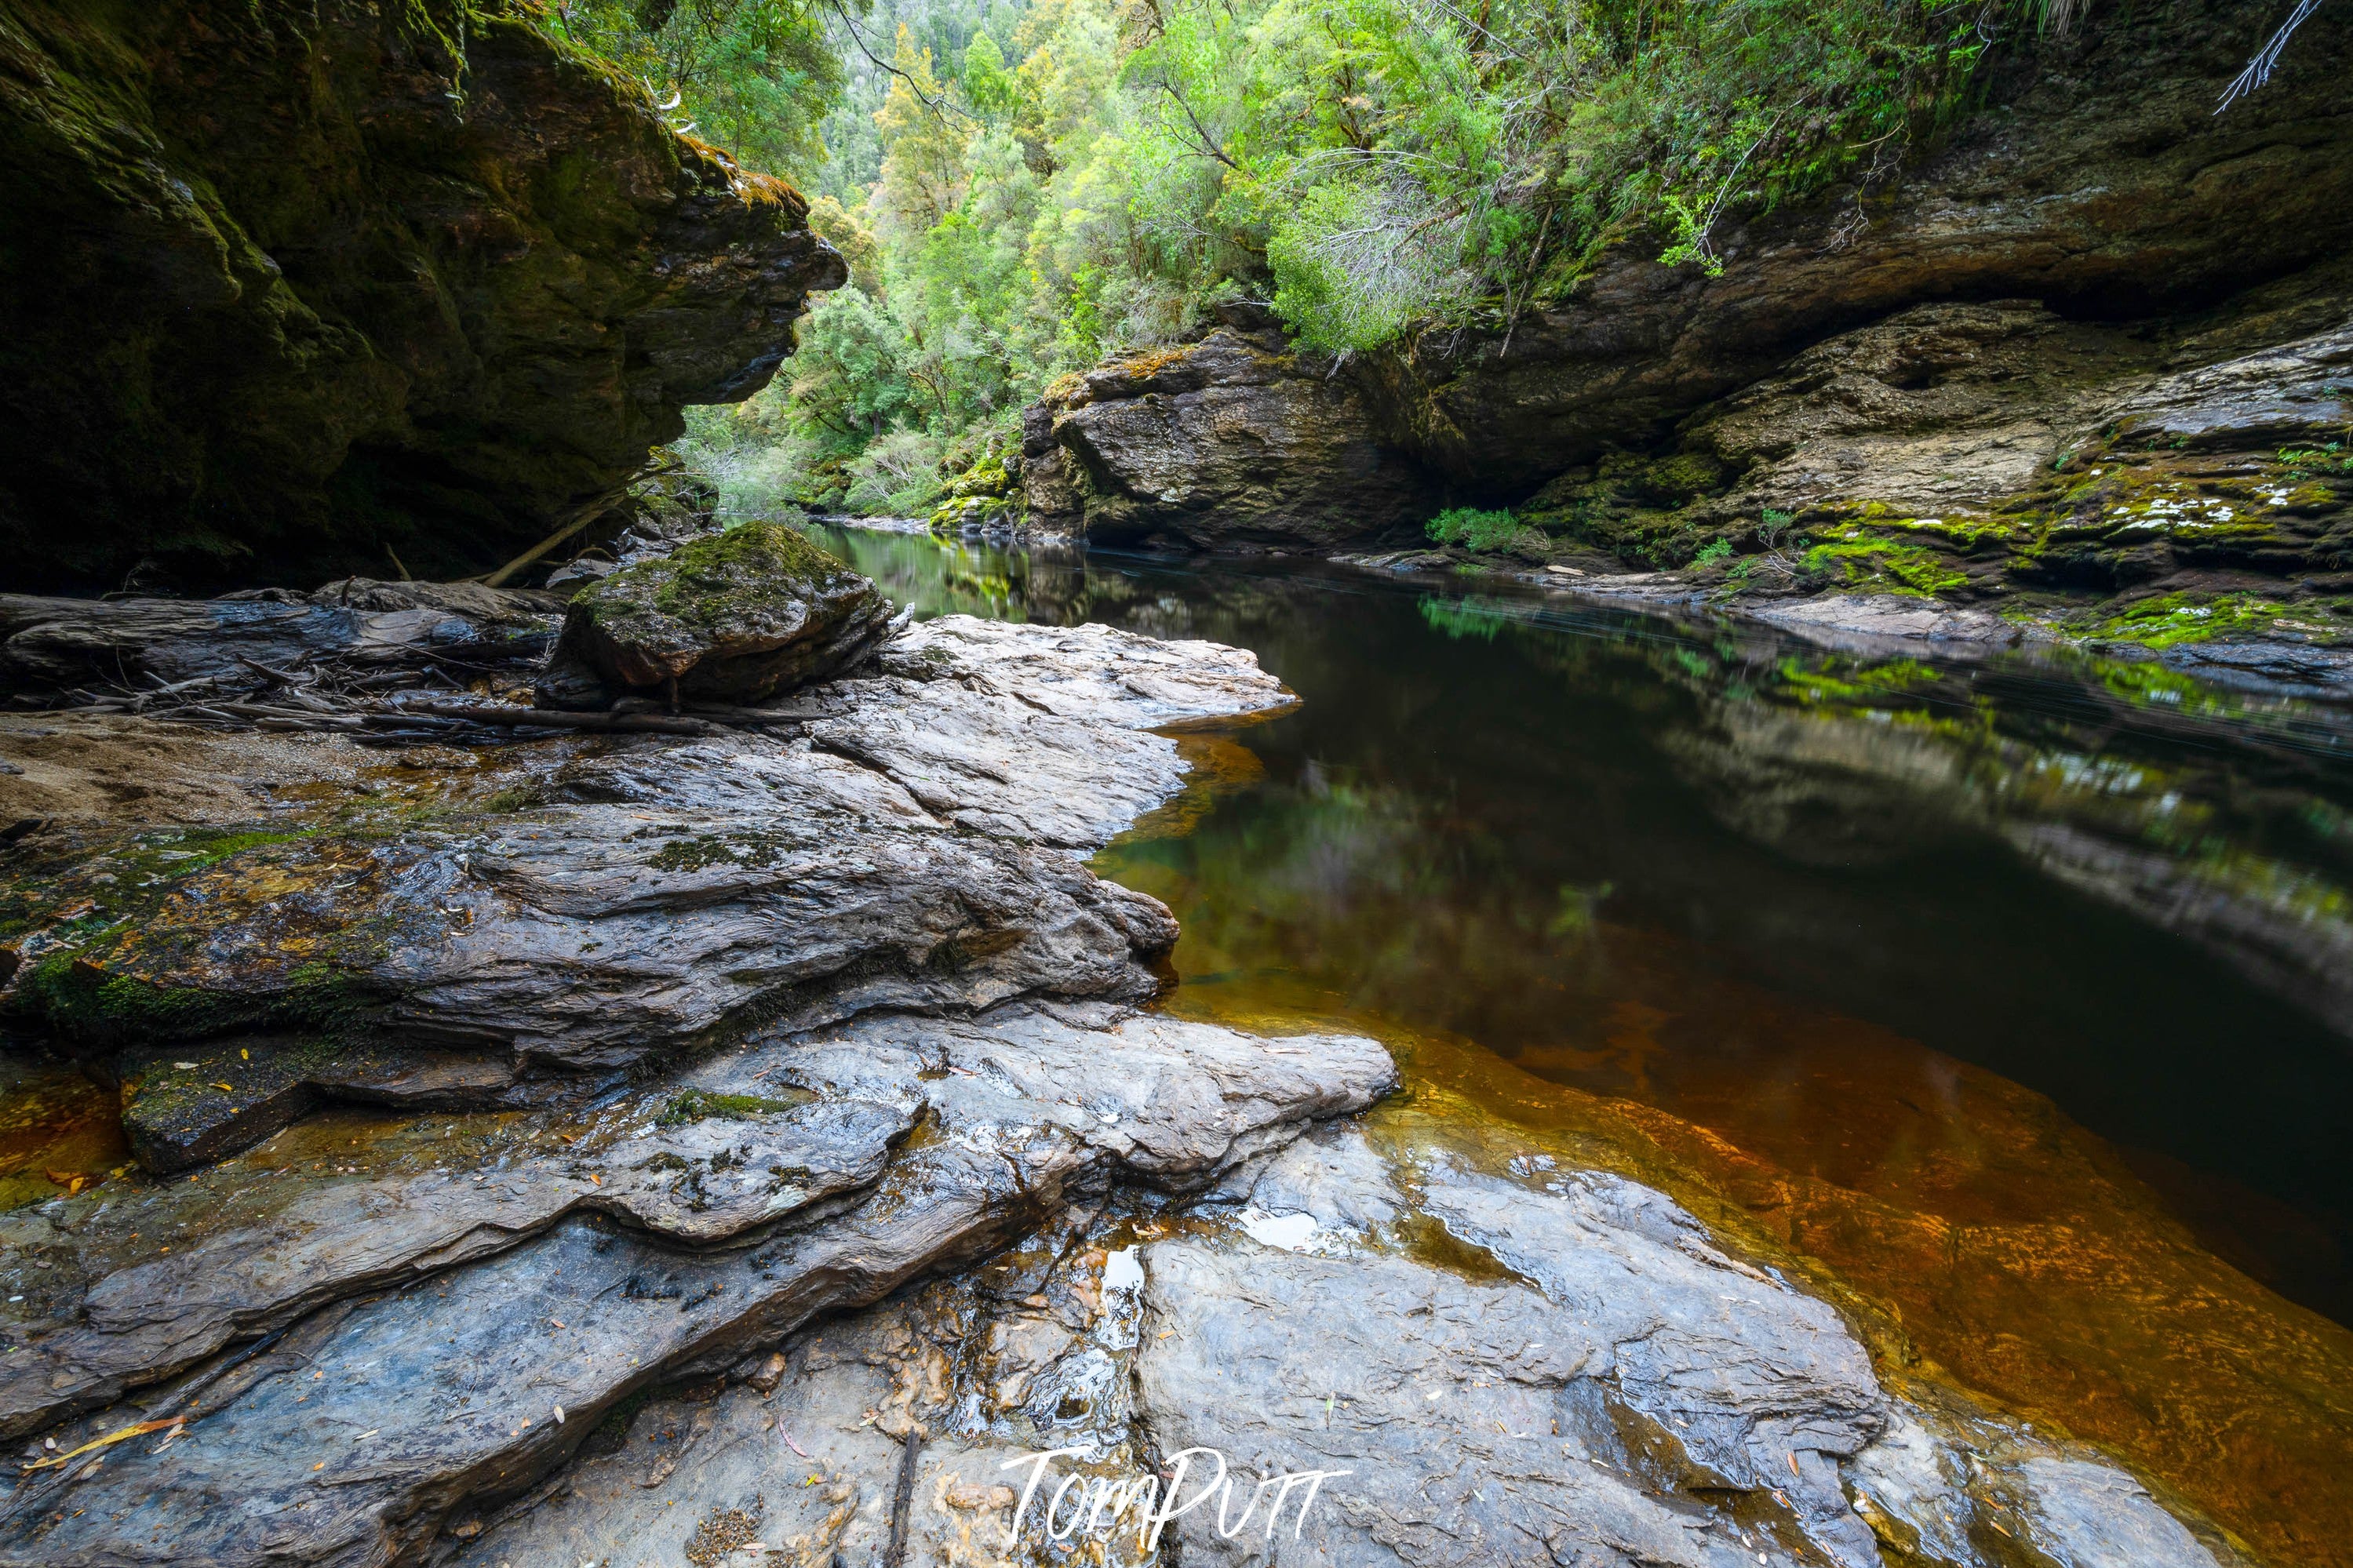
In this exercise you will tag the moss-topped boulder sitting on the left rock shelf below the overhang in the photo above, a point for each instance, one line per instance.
(735, 617)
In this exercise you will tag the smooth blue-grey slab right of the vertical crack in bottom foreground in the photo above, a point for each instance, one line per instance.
(1578, 1374)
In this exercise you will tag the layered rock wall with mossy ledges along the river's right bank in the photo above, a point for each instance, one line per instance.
(2081, 370)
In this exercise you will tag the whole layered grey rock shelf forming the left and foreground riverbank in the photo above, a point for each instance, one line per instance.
(655, 1059)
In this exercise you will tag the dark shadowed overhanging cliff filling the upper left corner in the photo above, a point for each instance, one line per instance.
(291, 286)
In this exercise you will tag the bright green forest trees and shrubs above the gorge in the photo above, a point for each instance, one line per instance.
(1025, 187)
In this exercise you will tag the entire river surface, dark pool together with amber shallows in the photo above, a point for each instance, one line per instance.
(2015, 993)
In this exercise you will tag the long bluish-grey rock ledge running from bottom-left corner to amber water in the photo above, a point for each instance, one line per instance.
(469, 1388)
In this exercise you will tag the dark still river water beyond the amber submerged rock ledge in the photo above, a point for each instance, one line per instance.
(1782, 892)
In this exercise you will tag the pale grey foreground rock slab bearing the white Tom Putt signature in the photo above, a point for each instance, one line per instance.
(1354, 1306)
